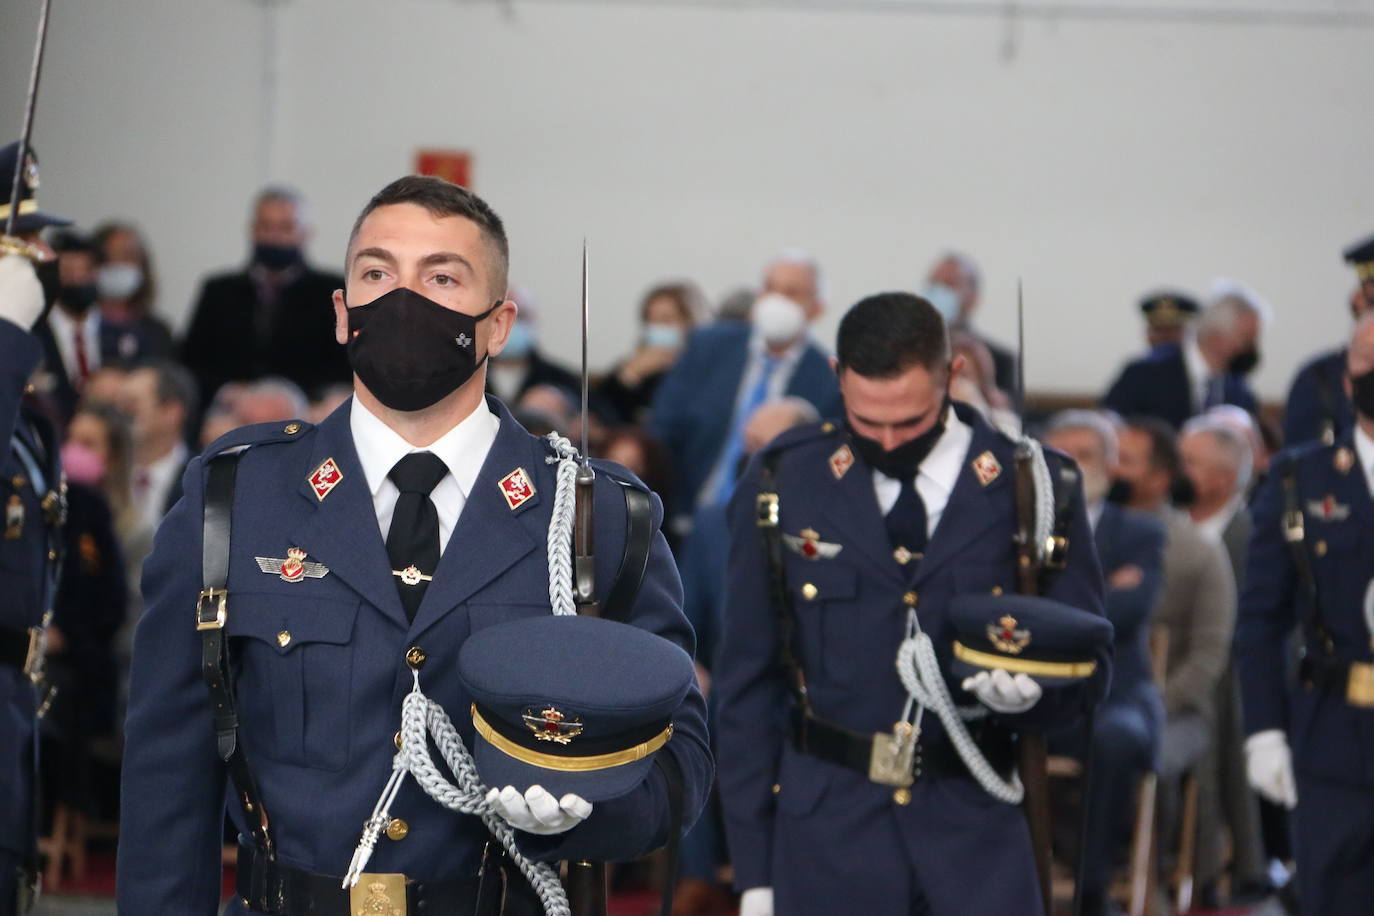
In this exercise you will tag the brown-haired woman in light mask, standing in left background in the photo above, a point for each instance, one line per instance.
(127, 288)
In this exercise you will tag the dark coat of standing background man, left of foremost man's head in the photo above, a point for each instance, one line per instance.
(223, 343)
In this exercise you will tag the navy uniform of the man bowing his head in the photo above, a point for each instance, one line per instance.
(822, 836)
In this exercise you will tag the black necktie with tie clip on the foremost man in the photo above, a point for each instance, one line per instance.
(413, 543)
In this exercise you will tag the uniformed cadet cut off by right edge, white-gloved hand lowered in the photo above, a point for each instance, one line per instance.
(1311, 565)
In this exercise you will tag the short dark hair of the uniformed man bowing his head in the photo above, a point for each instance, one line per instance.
(887, 334)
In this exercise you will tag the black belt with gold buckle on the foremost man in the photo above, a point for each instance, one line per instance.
(271, 888)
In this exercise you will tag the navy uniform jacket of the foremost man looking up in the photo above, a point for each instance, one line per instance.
(322, 667)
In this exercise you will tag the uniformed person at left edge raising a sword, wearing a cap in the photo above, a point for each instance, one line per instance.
(31, 490)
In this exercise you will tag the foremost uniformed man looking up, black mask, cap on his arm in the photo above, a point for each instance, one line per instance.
(363, 553)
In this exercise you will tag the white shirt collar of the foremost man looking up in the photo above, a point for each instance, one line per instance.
(464, 450)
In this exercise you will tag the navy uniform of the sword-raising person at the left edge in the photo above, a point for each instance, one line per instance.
(30, 495)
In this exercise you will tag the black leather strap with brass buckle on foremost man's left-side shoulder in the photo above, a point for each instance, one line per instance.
(216, 669)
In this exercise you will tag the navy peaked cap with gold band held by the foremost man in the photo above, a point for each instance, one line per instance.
(585, 711)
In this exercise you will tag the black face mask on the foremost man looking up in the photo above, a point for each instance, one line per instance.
(412, 352)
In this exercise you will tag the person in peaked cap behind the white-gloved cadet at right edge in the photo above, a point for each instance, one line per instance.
(1318, 409)
